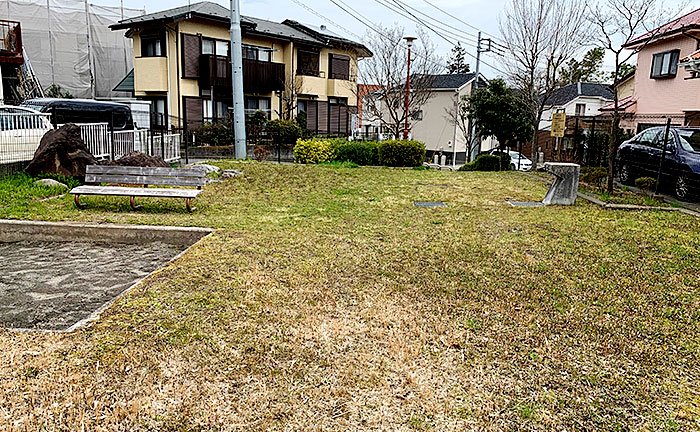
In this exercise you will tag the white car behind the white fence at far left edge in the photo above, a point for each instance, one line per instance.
(21, 130)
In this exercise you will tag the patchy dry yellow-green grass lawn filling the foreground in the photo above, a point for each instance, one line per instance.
(327, 301)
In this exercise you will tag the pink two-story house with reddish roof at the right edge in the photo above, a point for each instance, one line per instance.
(662, 89)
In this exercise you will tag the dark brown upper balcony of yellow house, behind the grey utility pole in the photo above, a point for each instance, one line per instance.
(258, 76)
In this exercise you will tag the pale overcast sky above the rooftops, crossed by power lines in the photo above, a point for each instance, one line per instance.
(482, 14)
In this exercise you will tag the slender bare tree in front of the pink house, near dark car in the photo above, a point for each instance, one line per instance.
(618, 25)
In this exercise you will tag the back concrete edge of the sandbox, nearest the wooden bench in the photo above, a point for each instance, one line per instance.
(20, 230)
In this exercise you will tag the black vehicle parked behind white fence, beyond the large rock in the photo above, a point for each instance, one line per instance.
(84, 111)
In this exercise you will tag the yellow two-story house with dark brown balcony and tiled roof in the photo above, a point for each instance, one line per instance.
(182, 65)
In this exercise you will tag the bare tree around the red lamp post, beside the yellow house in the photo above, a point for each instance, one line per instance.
(388, 69)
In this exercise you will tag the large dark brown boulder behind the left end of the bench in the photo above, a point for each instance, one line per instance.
(61, 151)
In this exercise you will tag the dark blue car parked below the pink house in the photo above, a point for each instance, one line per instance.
(641, 156)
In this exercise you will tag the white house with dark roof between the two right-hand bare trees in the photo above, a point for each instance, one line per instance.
(580, 99)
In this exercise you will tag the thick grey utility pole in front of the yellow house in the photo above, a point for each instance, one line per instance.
(237, 78)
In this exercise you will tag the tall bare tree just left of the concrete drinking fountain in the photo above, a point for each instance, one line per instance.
(540, 36)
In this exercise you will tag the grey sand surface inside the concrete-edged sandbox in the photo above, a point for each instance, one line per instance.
(53, 285)
